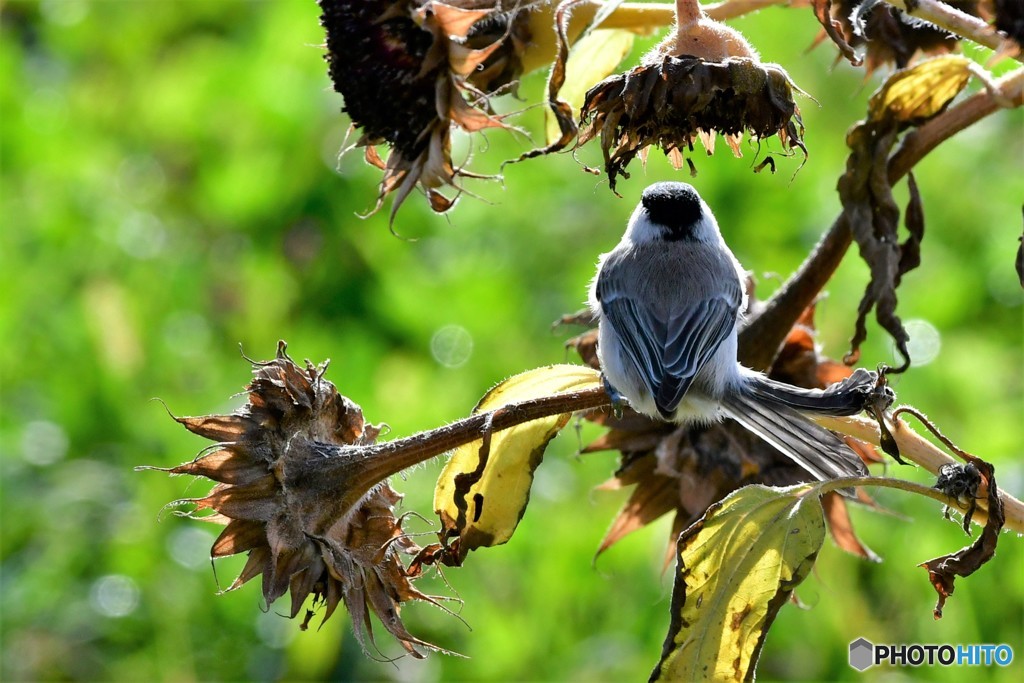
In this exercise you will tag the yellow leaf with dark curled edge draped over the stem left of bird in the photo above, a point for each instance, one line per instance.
(483, 492)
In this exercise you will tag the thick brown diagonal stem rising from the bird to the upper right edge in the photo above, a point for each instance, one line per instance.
(764, 335)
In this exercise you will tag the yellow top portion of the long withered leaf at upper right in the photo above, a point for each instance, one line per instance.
(914, 96)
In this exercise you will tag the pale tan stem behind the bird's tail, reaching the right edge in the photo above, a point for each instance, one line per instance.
(917, 449)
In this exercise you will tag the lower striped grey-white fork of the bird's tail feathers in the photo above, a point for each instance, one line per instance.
(812, 446)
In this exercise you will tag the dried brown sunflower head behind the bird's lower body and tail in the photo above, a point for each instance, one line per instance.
(682, 471)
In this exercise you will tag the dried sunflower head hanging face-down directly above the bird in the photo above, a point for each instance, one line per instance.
(703, 80)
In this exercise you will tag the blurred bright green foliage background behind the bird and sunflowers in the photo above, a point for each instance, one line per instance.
(170, 191)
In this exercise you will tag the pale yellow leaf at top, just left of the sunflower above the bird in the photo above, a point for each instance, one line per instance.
(593, 58)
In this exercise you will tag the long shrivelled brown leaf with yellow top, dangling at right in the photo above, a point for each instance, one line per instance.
(910, 98)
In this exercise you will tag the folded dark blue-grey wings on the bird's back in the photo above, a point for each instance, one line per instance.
(668, 346)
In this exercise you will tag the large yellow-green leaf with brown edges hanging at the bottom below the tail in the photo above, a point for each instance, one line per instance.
(738, 567)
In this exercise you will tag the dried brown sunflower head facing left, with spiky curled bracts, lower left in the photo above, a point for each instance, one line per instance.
(315, 520)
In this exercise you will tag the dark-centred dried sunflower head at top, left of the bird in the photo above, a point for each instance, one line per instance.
(411, 70)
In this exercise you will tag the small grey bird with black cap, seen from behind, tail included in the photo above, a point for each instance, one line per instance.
(668, 300)
